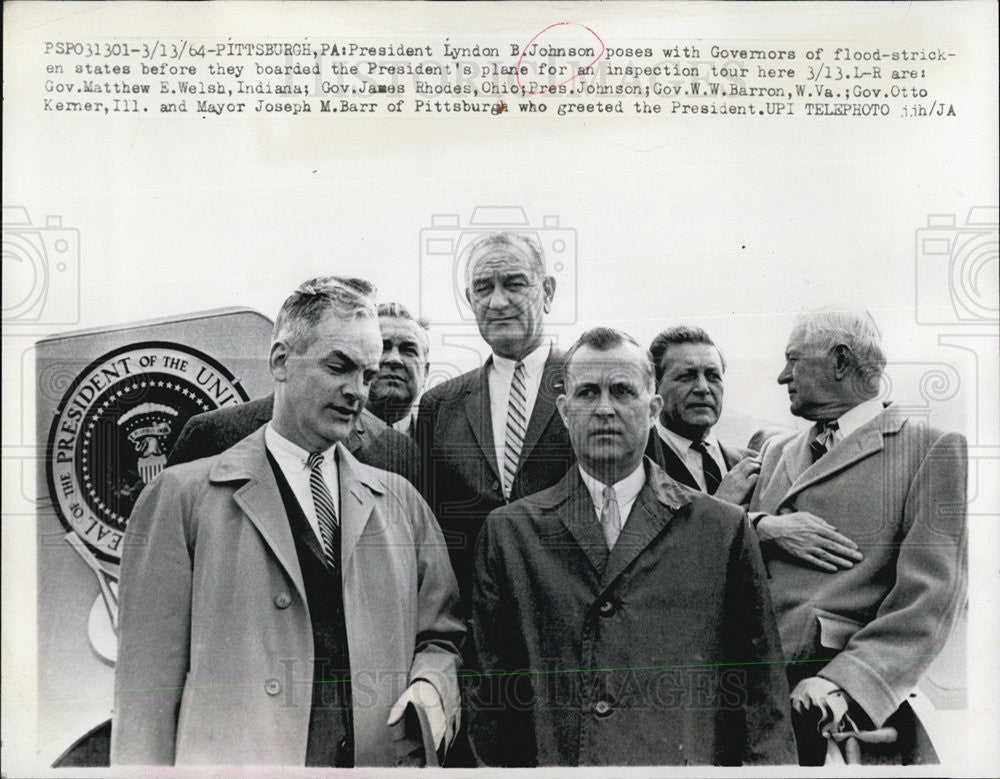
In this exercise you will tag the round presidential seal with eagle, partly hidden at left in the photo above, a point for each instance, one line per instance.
(114, 428)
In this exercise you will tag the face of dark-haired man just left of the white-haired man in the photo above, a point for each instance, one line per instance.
(691, 389)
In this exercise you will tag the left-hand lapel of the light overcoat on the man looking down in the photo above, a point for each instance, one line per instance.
(260, 499)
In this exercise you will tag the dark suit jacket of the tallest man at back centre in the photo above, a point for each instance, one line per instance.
(461, 480)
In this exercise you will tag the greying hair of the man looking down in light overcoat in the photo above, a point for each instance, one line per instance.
(345, 298)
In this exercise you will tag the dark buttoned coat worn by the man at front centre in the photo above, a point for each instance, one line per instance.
(663, 651)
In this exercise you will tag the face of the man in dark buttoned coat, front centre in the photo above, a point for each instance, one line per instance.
(608, 409)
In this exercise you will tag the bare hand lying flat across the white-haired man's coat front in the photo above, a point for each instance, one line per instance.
(811, 539)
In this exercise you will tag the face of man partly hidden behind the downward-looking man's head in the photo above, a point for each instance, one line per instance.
(403, 368)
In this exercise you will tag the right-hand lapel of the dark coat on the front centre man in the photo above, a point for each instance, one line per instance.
(653, 509)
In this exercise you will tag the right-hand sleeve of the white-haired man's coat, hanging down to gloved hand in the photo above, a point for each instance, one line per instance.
(885, 659)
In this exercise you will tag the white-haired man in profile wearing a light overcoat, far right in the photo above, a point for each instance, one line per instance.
(862, 523)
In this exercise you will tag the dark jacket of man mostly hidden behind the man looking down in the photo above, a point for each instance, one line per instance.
(372, 442)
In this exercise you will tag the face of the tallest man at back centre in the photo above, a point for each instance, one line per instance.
(509, 299)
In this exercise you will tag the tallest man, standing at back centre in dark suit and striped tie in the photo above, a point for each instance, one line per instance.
(493, 435)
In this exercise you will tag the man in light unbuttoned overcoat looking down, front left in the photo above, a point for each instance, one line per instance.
(281, 602)
